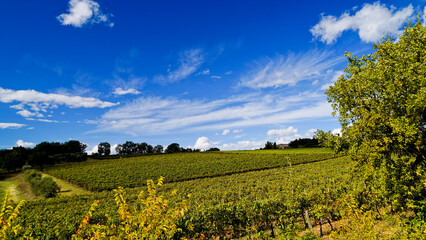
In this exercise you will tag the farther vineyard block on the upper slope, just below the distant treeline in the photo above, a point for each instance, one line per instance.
(99, 175)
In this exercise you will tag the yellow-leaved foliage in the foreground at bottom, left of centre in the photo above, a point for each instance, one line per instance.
(151, 218)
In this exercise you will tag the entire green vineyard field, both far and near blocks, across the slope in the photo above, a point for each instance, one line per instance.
(230, 201)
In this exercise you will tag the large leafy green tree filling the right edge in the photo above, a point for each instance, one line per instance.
(381, 102)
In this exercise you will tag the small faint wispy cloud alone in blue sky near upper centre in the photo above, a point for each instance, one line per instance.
(189, 62)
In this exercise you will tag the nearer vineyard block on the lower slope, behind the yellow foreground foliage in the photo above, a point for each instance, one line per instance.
(227, 206)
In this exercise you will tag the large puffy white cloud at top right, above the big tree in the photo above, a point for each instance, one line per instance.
(372, 22)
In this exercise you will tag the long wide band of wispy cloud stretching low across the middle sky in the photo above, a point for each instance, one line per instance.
(155, 115)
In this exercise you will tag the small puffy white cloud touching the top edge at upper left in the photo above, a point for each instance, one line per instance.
(81, 12)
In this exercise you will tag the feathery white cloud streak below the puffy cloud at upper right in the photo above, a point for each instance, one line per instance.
(289, 70)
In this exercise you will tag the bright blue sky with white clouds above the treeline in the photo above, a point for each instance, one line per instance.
(226, 74)
